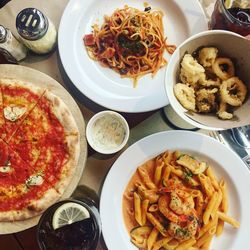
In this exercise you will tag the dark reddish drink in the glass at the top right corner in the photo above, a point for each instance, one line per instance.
(233, 19)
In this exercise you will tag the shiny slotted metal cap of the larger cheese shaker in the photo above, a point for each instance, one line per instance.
(31, 24)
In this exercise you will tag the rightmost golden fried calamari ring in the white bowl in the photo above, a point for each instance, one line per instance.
(233, 91)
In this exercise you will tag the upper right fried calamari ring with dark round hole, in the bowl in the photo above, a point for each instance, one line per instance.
(223, 68)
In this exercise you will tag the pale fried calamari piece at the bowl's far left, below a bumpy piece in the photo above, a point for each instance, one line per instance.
(185, 95)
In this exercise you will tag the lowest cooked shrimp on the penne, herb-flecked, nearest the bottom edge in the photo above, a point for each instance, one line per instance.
(185, 232)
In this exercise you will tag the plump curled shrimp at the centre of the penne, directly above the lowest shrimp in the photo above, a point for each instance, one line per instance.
(181, 202)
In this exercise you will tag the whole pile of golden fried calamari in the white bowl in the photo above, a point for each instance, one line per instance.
(208, 84)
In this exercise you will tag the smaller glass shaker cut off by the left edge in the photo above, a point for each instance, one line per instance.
(10, 47)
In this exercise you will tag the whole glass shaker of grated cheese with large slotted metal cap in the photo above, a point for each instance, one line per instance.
(36, 31)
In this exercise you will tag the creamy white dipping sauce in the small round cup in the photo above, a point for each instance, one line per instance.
(108, 132)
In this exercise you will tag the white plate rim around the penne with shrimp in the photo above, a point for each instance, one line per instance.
(225, 164)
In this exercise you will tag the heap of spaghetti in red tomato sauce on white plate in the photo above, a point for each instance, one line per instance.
(130, 41)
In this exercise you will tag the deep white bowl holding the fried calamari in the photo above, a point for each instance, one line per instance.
(229, 44)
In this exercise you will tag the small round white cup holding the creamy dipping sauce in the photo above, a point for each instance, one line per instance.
(89, 132)
